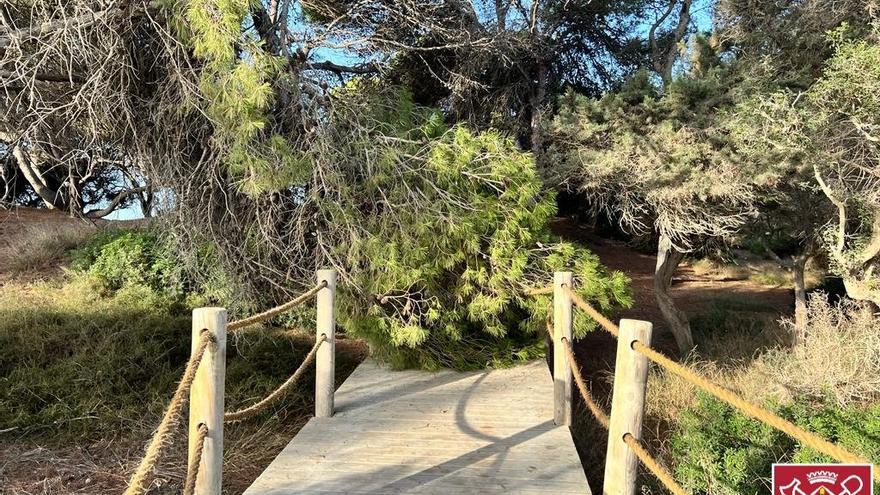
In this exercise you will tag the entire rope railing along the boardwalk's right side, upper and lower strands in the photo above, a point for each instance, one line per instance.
(752, 410)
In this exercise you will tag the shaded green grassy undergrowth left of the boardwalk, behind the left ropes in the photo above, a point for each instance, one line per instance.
(101, 350)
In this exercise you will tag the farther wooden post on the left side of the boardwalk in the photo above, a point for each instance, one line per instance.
(325, 359)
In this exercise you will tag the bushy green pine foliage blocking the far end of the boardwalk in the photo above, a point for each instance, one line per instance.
(441, 235)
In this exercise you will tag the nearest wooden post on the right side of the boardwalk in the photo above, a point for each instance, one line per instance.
(627, 408)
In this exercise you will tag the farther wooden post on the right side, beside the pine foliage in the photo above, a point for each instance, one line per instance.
(562, 377)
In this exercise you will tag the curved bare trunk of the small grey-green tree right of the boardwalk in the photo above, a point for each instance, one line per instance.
(668, 259)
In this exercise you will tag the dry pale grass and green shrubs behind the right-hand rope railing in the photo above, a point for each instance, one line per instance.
(827, 385)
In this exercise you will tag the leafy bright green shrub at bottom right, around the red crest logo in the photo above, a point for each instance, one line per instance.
(720, 451)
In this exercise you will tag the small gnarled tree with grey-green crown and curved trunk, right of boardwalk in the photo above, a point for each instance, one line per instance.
(658, 165)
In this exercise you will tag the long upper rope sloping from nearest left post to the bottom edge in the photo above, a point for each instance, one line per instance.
(137, 485)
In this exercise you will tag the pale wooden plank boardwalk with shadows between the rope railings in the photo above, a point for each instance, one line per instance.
(445, 433)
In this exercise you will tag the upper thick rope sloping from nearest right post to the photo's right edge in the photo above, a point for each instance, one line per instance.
(810, 439)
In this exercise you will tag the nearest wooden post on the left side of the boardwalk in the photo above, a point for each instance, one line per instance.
(206, 399)
